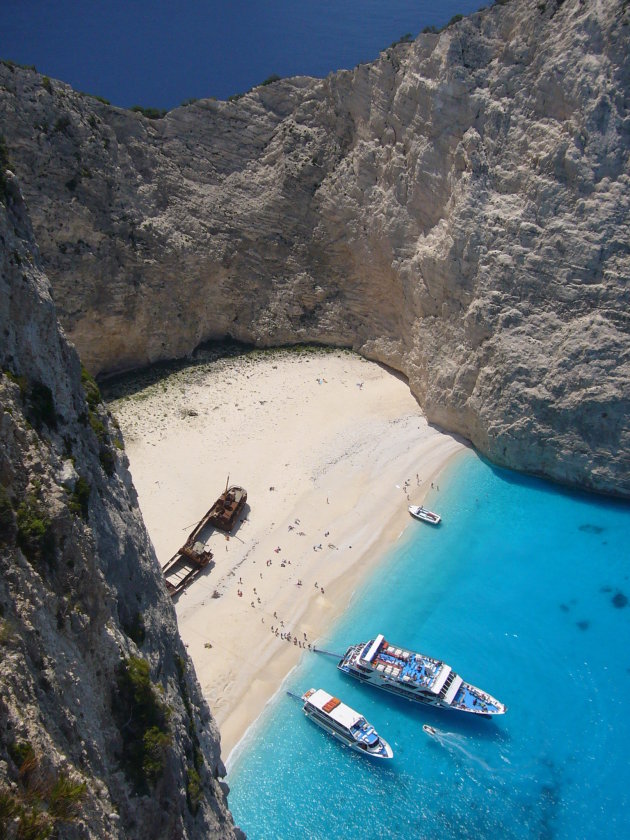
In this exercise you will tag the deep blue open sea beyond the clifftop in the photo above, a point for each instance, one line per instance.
(159, 53)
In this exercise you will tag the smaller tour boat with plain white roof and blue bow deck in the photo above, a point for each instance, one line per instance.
(344, 724)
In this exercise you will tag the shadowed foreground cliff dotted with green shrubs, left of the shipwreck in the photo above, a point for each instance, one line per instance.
(103, 729)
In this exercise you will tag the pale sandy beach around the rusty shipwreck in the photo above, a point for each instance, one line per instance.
(324, 443)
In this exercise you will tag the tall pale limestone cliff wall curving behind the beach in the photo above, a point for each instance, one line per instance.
(458, 210)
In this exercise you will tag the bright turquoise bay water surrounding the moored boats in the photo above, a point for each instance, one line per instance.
(523, 590)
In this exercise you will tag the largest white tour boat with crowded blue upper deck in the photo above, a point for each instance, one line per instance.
(416, 677)
